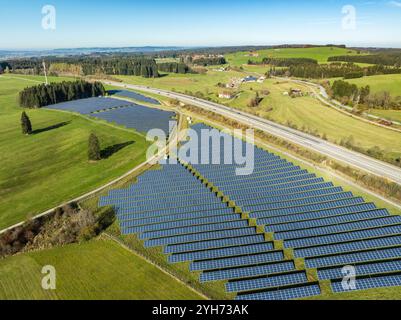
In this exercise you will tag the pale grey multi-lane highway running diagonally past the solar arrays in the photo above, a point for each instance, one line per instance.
(328, 149)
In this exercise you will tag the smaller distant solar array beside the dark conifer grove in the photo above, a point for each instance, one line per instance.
(124, 113)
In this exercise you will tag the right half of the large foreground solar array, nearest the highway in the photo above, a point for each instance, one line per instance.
(325, 225)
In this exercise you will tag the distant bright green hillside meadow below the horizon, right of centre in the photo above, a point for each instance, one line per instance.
(321, 54)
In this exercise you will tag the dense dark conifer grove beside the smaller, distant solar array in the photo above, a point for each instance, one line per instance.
(44, 95)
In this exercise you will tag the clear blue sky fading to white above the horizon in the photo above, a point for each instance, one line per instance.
(87, 23)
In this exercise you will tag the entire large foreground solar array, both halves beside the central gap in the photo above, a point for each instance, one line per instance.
(325, 225)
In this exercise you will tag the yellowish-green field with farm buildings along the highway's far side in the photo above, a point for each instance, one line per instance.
(304, 112)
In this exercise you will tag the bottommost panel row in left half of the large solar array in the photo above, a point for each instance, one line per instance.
(284, 294)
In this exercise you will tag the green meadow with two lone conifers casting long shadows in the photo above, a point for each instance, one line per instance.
(50, 167)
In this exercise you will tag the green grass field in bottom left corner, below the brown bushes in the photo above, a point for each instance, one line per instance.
(100, 269)
